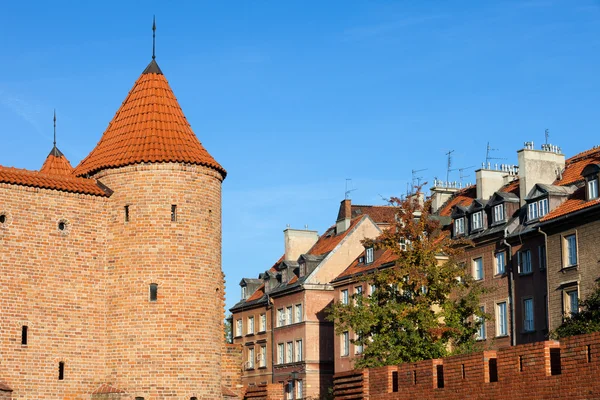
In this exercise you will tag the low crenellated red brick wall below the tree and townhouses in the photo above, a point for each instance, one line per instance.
(523, 372)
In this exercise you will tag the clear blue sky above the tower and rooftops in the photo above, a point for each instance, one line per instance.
(293, 97)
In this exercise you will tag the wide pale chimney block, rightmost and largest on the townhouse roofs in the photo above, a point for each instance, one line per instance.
(538, 166)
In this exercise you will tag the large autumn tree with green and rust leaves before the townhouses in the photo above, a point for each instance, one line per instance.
(424, 305)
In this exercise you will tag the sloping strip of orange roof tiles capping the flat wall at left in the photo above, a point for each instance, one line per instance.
(63, 183)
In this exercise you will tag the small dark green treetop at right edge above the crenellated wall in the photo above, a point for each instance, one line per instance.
(586, 321)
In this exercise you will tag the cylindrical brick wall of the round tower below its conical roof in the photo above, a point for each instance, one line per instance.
(169, 348)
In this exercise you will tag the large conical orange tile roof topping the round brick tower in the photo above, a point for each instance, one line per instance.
(148, 127)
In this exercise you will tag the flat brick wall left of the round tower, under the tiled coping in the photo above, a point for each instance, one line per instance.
(52, 282)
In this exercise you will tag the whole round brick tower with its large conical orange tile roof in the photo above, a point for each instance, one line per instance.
(164, 306)
